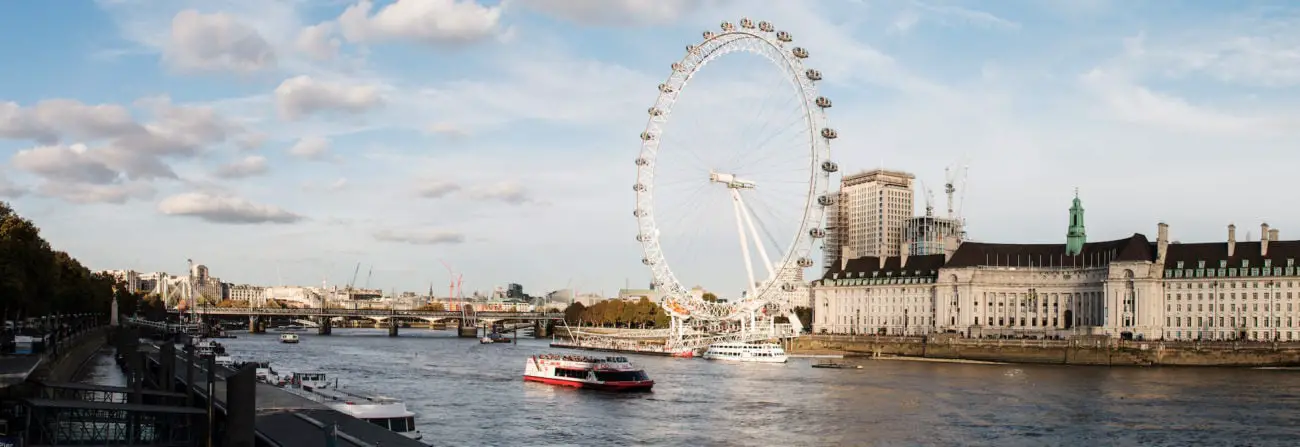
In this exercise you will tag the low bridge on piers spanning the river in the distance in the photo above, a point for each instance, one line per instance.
(467, 318)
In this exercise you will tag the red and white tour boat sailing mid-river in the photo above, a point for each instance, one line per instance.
(583, 372)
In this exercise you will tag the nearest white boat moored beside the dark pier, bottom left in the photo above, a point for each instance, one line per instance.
(385, 413)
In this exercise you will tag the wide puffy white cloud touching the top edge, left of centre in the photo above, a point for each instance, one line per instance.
(426, 21)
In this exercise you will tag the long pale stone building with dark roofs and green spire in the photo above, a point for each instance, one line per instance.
(1129, 288)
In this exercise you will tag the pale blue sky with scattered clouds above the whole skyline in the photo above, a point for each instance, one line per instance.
(284, 142)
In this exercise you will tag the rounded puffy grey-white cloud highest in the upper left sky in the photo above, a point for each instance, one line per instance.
(216, 42)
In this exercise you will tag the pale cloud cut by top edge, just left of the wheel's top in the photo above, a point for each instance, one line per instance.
(616, 12)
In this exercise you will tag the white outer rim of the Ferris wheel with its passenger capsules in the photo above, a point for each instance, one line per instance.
(788, 60)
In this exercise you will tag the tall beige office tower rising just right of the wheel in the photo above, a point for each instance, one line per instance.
(869, 216)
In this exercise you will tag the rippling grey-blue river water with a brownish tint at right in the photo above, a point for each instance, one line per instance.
(466, 393)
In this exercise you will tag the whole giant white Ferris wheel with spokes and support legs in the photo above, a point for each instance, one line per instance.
(791, 193)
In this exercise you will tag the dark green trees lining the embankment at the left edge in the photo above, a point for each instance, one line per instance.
(37, 280)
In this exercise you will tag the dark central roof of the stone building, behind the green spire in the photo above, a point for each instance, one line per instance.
(977, 254)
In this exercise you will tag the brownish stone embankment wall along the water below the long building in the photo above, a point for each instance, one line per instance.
(1061, 353)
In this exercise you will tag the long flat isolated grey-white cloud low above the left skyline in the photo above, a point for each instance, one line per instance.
(224, 210)
